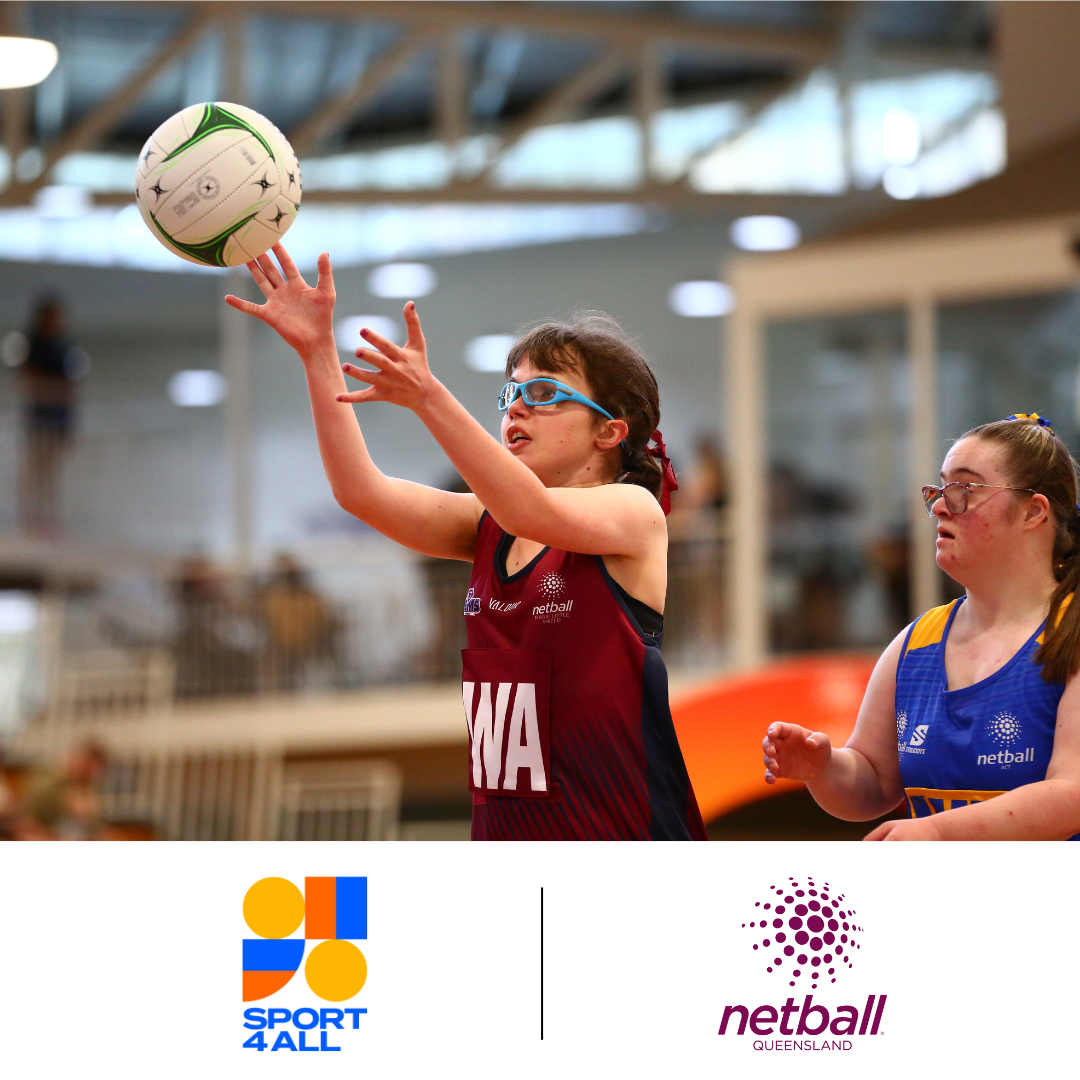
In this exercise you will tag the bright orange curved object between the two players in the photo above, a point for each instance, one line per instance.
(722, 727)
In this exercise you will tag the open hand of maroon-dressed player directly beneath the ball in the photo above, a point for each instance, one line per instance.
(303, 316)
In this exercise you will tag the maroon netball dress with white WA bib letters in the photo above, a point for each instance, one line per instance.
(565, 695)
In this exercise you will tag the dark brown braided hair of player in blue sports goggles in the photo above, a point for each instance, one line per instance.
(595, 346)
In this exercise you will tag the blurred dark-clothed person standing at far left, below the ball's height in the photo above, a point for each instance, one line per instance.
(49, 368)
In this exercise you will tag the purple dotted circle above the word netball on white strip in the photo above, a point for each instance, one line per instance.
(805, 931)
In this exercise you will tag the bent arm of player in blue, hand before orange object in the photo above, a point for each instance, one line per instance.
(860, 781)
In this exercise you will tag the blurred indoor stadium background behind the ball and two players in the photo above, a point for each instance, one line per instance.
(843, 234)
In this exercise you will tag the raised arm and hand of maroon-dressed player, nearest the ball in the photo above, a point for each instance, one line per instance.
(424, 519)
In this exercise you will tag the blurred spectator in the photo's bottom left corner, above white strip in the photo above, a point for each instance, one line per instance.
(65, 804)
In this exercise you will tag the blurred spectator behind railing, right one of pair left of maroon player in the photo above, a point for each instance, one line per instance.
(301, 627)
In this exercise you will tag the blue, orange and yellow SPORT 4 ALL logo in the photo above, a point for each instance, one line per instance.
(334, 914)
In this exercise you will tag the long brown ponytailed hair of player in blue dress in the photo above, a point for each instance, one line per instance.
(1035, 457)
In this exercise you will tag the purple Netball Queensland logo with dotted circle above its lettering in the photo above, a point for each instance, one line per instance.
(807, 937)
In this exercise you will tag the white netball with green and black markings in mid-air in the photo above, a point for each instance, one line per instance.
(219, 184)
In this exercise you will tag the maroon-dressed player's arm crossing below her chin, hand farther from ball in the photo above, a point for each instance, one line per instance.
(606, 520)
